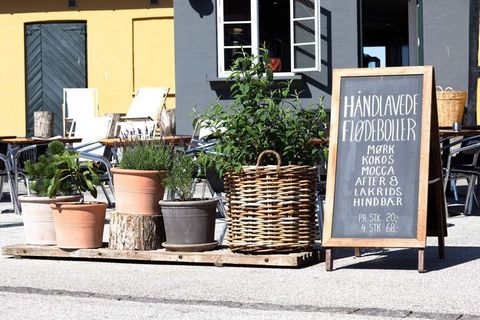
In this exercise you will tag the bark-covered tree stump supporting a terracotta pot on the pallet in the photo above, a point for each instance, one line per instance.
(135, 232)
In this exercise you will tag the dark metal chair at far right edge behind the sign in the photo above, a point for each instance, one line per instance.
(462, 163)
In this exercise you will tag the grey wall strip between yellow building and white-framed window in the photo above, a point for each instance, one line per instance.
(195, 58)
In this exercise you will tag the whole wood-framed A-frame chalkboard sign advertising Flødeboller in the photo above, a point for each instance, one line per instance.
(384, 184)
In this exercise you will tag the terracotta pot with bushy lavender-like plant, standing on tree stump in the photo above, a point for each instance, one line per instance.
(139, 177)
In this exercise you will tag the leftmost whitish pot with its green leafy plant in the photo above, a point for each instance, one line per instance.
(36, 212)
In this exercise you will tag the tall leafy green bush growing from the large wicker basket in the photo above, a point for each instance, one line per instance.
(263, 115)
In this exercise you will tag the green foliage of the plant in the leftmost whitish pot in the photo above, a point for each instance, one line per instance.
(41, 172)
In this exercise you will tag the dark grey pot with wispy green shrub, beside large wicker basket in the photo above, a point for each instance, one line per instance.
(189, 222)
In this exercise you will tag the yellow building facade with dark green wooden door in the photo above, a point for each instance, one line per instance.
(115, 46)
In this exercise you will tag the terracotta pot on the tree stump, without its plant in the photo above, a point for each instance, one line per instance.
(138, 191)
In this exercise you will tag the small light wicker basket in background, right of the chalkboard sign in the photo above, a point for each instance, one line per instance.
(450, 106)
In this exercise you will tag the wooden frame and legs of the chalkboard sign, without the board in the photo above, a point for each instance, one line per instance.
(428, 135)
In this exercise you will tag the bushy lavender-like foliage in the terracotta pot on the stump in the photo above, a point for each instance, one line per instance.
(147, 155)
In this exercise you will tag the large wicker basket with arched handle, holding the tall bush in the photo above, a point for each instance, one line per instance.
(271, 208)
